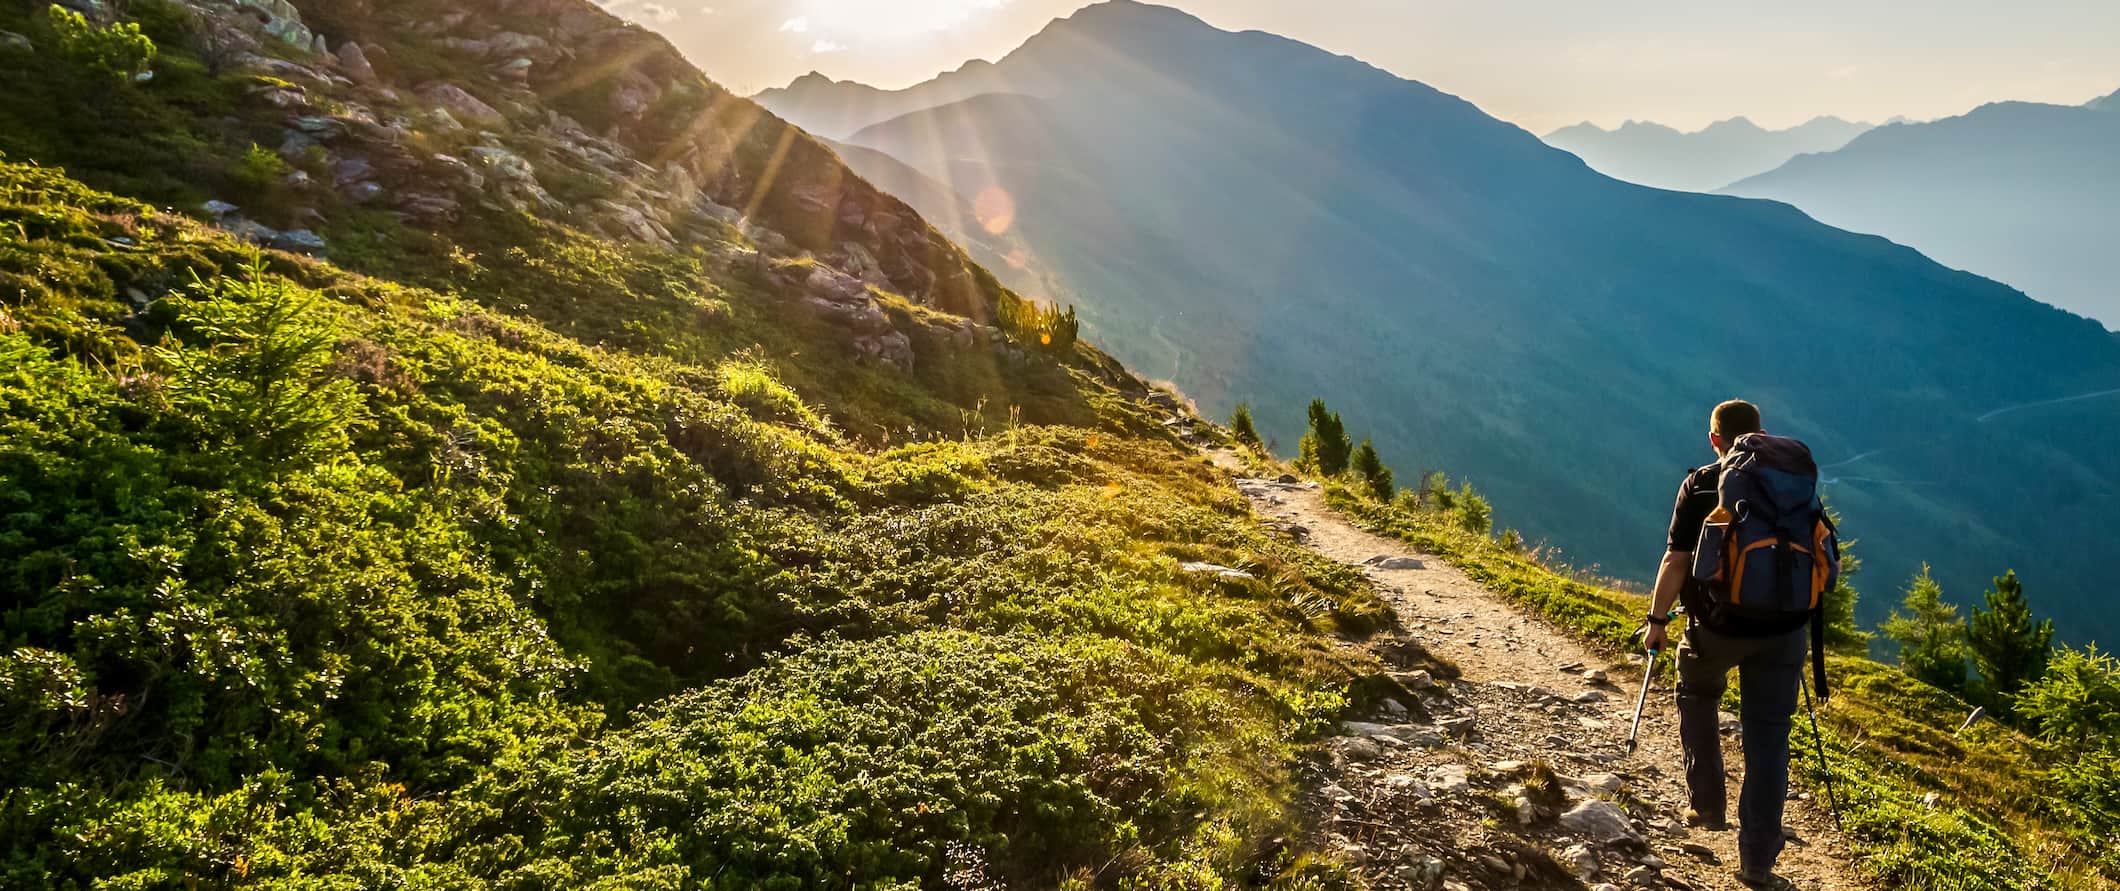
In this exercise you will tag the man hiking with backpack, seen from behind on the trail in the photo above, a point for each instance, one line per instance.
(1752, 557)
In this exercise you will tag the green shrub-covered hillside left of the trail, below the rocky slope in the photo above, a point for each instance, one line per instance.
(332, 576)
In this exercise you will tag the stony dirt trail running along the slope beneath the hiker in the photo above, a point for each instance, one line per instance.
(1415, 792)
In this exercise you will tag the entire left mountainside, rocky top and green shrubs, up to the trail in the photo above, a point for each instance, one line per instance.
(597, 485)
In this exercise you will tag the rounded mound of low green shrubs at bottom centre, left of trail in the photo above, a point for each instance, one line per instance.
(896, 761)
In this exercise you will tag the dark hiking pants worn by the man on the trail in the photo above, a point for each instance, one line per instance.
(1769, 671)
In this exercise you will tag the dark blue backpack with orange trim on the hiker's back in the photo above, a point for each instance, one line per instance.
(1769, 551)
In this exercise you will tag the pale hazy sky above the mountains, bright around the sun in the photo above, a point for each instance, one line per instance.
(1536, 63)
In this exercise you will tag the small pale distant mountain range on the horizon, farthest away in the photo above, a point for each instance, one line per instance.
(1706, 160)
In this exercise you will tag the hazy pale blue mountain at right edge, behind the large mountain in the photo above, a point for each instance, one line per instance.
(2017, 190)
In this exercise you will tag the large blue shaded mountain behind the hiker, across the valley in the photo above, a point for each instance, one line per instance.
(1258, 220)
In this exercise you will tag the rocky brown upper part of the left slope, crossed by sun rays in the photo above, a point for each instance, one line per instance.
(593, 124)
